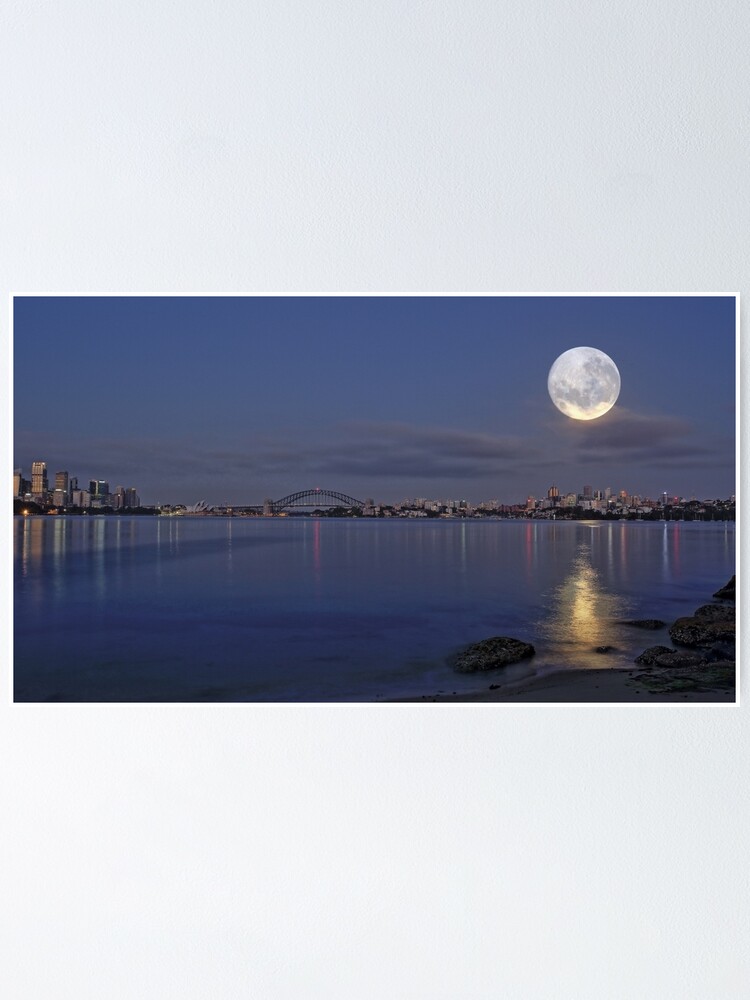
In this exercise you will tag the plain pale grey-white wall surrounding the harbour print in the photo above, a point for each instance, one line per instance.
(346, 851)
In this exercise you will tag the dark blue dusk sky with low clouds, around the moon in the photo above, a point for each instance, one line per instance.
(237, 399)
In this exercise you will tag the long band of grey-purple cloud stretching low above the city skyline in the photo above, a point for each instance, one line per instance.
(384, 455)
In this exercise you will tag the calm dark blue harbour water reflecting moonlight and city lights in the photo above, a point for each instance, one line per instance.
(178, 609)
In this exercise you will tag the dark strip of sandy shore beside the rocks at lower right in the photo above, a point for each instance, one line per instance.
(606, 685)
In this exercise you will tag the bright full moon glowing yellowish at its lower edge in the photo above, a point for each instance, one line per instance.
(584, 383)
